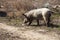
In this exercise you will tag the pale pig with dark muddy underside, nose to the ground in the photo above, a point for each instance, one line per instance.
(38, 14)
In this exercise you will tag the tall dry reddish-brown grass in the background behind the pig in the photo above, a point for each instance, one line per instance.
(23, 6)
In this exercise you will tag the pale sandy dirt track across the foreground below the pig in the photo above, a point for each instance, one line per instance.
(26, 33)
